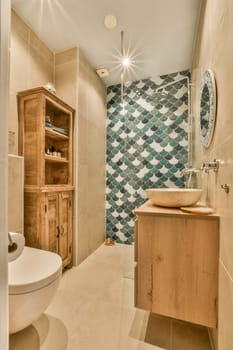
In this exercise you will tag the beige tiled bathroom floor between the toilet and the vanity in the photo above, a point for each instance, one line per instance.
(93, 310)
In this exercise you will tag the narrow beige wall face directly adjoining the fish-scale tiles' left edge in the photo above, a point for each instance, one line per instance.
(91, 151)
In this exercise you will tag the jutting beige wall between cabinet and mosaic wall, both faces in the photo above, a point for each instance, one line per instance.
(79, 85)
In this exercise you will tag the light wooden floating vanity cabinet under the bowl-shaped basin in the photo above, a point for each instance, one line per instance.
(177, 265)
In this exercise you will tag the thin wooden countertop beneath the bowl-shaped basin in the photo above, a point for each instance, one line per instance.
(148, 209)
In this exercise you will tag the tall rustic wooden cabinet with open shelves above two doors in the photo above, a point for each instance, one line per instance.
(46, 143)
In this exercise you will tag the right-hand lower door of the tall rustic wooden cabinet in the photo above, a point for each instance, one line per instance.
(65, 225)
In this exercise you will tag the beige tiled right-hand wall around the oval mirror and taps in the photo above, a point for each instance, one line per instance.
(214, 49)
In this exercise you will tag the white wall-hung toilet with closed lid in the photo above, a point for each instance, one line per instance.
(33, 280)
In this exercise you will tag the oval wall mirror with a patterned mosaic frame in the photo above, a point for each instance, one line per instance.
(207, 107)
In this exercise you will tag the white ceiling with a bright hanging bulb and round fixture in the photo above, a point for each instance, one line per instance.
(158, 33)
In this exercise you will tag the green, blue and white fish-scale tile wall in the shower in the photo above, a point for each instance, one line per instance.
(147, 145)
